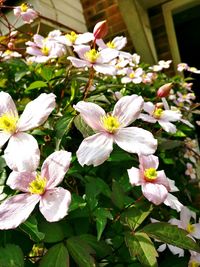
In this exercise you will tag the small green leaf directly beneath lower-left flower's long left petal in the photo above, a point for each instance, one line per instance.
(30, 227)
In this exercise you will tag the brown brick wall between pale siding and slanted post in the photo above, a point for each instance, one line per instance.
(95, 11)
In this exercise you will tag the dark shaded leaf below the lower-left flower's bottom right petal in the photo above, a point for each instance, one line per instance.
(53, 232)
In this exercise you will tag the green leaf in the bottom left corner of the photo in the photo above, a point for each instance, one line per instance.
(11, 256)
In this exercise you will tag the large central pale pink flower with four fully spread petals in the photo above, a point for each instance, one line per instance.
(112, 128)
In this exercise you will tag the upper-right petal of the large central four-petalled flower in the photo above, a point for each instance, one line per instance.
(128, 109)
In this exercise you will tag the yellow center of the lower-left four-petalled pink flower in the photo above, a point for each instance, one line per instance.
(38, 185)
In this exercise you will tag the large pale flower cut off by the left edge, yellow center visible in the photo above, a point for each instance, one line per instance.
(22, 151)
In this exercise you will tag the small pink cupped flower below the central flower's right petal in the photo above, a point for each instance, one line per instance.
(155, 185)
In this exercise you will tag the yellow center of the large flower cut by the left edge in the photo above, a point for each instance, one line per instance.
(8, 123)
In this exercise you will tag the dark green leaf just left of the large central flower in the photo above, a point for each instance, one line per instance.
(63, 125)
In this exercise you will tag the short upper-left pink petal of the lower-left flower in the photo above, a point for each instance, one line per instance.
(20, 180)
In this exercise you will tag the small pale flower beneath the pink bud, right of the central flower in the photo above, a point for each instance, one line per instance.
(163, 117)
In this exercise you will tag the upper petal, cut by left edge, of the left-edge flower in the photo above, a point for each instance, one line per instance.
(7, 105)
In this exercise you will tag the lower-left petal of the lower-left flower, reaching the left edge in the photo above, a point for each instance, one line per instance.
(16, 210)
